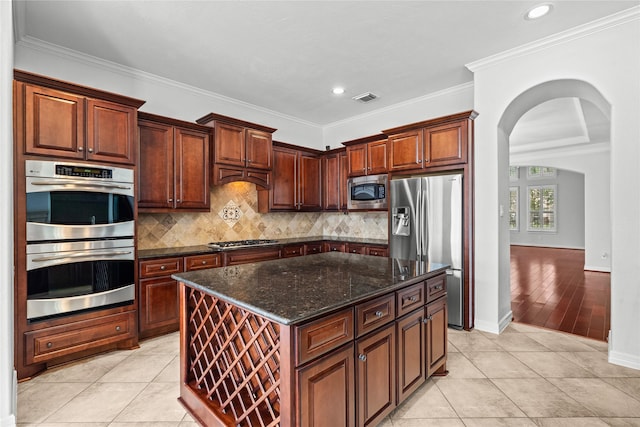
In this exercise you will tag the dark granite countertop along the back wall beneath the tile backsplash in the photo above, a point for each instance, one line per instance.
(200, 249)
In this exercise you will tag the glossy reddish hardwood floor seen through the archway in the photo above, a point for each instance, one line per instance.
(549, 288)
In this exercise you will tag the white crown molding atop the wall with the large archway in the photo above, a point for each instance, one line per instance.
(623, 17)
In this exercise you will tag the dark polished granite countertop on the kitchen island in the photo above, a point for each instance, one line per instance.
(293, 290)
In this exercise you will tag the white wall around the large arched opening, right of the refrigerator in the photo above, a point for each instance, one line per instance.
(602, 56)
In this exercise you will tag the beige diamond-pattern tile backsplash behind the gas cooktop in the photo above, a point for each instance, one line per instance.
(234, 216)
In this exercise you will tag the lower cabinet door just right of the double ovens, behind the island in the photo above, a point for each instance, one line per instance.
(159, 306)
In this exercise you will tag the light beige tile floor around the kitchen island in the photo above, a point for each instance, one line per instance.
(525, 376)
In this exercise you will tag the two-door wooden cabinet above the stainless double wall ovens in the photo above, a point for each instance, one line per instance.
(63, 120)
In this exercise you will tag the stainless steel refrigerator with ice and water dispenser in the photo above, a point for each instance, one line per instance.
(425, 224)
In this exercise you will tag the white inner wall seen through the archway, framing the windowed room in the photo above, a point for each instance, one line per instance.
(597, 216)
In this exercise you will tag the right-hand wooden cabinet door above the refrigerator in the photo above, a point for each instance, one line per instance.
(446, 144)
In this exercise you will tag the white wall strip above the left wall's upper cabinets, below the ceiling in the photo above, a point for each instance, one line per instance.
(164, 97)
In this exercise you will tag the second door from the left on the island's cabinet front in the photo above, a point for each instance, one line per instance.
(376, 375)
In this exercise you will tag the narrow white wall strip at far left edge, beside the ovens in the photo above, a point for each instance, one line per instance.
(7, 374)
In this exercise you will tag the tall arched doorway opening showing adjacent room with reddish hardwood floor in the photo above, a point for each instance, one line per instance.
(560, 280)
